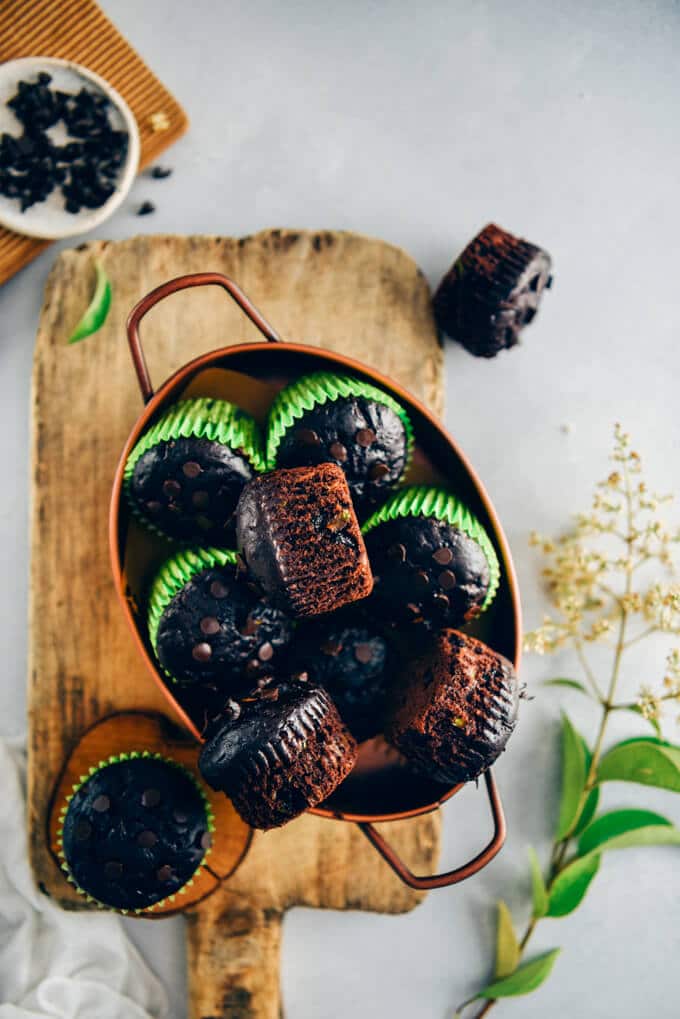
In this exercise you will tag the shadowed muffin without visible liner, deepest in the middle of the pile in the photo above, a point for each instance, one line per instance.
(351, 660)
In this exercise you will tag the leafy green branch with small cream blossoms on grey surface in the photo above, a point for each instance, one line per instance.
(596, 576)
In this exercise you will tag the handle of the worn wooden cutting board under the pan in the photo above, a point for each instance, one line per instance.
(234, 955)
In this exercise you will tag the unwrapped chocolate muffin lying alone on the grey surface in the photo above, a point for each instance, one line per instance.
(493, 292)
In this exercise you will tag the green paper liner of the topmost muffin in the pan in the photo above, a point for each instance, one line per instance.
(322, 388)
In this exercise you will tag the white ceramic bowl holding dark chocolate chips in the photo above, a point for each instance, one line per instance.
(49, 220)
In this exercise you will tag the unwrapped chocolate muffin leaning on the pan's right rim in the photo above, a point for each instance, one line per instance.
(453, 709)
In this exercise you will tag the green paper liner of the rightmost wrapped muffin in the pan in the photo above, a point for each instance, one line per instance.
(423, 501)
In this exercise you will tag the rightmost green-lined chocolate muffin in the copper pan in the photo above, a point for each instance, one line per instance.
(433, 561)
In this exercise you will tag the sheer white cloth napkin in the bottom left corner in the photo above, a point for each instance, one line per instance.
(54, 963)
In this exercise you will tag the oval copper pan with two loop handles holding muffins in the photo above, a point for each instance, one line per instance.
(380, 789)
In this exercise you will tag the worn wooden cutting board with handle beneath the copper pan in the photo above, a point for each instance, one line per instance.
(345, 292)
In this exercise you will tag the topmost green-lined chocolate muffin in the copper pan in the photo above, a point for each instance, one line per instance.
(325, 418)
